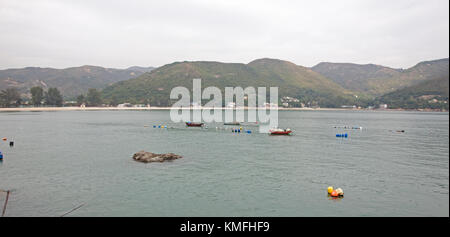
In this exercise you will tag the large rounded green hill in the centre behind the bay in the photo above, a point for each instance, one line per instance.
(293, 80)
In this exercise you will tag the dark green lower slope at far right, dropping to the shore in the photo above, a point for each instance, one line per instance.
(430, 94)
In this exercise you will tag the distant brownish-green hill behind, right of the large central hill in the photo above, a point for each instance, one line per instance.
(377, 80)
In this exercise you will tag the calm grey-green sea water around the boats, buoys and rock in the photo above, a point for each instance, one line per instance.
(63, 159)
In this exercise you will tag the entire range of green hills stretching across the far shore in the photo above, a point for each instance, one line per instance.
(423, 86)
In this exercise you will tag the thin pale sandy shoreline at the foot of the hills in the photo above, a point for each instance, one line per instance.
(76, 108)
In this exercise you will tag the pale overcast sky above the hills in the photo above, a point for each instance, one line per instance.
(119, 34)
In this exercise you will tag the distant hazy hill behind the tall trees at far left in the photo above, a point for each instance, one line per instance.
(70, 81)
